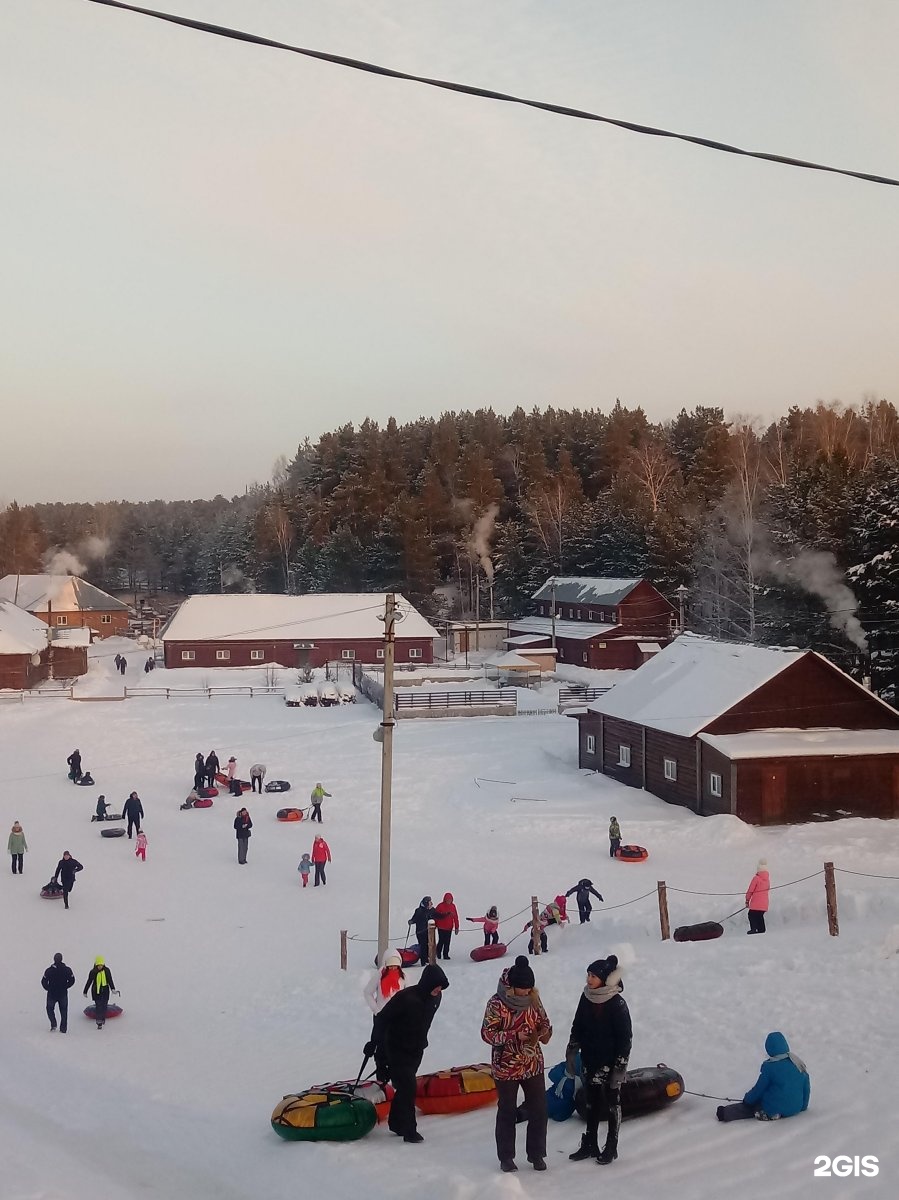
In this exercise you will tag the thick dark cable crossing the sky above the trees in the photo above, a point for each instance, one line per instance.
(488, 94)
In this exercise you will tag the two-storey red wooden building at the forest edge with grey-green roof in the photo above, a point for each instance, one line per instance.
(606, 625)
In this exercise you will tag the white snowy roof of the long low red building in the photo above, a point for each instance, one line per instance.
(256, 616)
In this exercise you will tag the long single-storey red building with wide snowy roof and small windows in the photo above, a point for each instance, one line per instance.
(253, 629)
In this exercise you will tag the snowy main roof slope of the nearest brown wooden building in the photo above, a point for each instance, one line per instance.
(692, 682)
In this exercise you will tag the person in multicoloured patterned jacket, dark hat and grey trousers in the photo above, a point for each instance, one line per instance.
(516, 1024)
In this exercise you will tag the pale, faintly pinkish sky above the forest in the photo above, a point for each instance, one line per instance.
(214, 250)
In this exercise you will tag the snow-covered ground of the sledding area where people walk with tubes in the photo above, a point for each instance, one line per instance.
(233, 995)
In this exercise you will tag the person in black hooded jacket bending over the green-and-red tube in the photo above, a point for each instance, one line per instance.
(399, 1037)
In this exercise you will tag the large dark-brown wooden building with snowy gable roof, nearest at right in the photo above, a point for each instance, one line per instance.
(774, 737)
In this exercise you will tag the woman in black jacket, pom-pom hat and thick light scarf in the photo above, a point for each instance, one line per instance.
(603, 1034)
